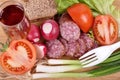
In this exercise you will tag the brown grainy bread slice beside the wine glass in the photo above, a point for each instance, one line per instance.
(36, 9)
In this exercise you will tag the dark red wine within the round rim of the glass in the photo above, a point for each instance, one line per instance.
(12, 15)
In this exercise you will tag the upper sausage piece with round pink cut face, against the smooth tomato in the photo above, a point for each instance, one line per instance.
(69, 30)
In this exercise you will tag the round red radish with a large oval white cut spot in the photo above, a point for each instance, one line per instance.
(50, 30)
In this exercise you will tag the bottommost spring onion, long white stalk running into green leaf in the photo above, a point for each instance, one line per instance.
(93, 73)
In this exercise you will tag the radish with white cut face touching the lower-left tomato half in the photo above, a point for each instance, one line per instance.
(41, 50)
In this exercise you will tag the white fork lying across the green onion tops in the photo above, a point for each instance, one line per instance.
(98, 55)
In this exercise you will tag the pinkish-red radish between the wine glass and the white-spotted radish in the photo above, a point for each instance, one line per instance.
(34, 34)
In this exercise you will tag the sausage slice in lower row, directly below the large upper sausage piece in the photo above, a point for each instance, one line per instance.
(73, 48)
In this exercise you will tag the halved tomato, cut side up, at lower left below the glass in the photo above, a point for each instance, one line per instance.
(19, 58)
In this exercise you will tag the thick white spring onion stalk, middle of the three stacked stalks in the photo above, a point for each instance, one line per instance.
(54, 69)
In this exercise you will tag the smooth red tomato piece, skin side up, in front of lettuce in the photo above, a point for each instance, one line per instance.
(82, 15)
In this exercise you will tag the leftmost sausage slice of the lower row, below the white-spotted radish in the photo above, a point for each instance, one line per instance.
(55, 49)
